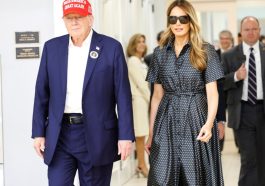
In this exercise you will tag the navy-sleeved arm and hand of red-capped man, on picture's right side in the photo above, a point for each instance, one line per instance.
(124, 104)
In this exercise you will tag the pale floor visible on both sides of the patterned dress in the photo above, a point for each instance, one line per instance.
(230, 161)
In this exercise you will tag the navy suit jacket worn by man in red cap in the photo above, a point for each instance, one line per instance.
(106, 87)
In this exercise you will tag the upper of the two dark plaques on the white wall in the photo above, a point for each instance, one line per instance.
(27, 37)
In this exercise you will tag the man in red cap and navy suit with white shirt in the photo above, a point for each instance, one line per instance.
(82, 79)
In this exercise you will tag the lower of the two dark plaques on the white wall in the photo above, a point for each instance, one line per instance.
(27, 52)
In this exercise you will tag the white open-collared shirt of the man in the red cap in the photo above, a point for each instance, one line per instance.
(77, 62)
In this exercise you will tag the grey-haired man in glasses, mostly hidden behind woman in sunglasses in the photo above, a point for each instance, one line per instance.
(226, 42)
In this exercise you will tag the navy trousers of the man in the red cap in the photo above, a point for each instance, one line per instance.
(71, 155)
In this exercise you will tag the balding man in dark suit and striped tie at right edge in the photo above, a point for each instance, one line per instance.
(244, 66)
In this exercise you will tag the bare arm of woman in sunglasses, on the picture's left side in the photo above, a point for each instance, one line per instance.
(156, 99)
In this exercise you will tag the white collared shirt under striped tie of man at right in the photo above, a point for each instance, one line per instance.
(256, 51)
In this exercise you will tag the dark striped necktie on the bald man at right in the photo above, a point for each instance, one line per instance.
(252, 82)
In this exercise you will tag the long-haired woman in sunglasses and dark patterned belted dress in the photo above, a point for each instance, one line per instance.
(183, 140)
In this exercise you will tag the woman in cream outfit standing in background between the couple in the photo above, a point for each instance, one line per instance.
(137, 69)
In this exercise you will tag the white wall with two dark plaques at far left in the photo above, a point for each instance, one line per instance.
(22, 167)
